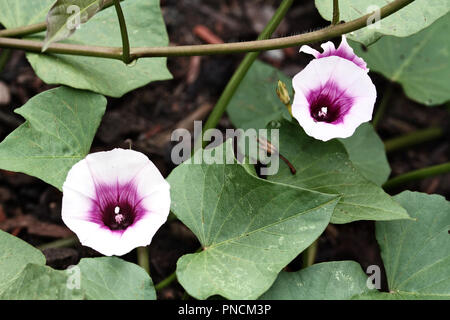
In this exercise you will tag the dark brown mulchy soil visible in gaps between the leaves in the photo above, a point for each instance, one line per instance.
(144, 115)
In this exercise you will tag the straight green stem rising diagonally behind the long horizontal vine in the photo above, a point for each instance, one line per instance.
(240, 72)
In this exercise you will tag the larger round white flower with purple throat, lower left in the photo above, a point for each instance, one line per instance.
(115, 201)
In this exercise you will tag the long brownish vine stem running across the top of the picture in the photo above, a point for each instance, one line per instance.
(207, 49)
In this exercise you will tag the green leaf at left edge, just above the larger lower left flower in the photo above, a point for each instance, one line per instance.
(61, 124)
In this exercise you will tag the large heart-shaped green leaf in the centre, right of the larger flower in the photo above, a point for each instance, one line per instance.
(249, 228)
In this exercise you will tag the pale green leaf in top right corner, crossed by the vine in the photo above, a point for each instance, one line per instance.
(405, 22)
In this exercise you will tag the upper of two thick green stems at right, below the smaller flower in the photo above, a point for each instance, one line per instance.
(413, 138)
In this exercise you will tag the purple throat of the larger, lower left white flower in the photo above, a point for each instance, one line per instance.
(117, 206)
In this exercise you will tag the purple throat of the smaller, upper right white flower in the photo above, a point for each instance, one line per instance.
(329, 103)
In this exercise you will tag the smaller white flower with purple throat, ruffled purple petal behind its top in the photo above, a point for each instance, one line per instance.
(333, 93)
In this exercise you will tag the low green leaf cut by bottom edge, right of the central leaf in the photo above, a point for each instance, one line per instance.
(341, 280)
